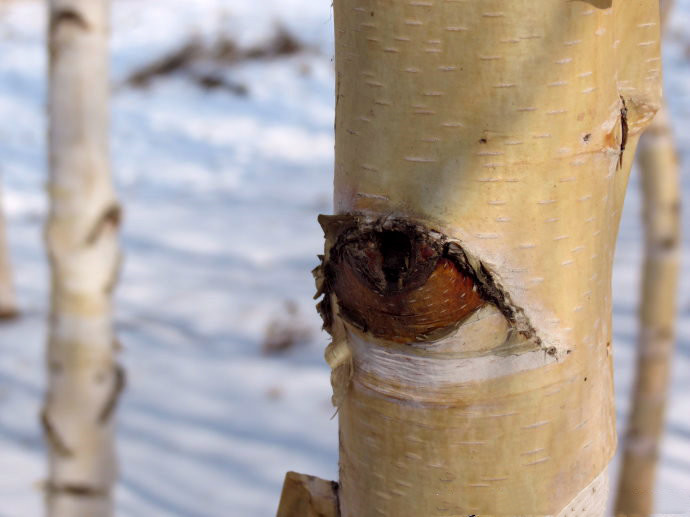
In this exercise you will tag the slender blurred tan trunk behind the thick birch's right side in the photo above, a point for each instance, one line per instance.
(660, 190)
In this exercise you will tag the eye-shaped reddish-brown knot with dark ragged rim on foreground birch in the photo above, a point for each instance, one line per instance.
(404, 282)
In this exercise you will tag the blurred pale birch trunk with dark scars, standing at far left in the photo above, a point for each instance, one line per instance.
(81, 236)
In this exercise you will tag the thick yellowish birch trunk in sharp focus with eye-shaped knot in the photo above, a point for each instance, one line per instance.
(482, 155)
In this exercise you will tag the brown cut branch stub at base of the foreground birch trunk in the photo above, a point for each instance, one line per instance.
(308, 496)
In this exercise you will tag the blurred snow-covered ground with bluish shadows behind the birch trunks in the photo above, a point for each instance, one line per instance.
(221, 195)
